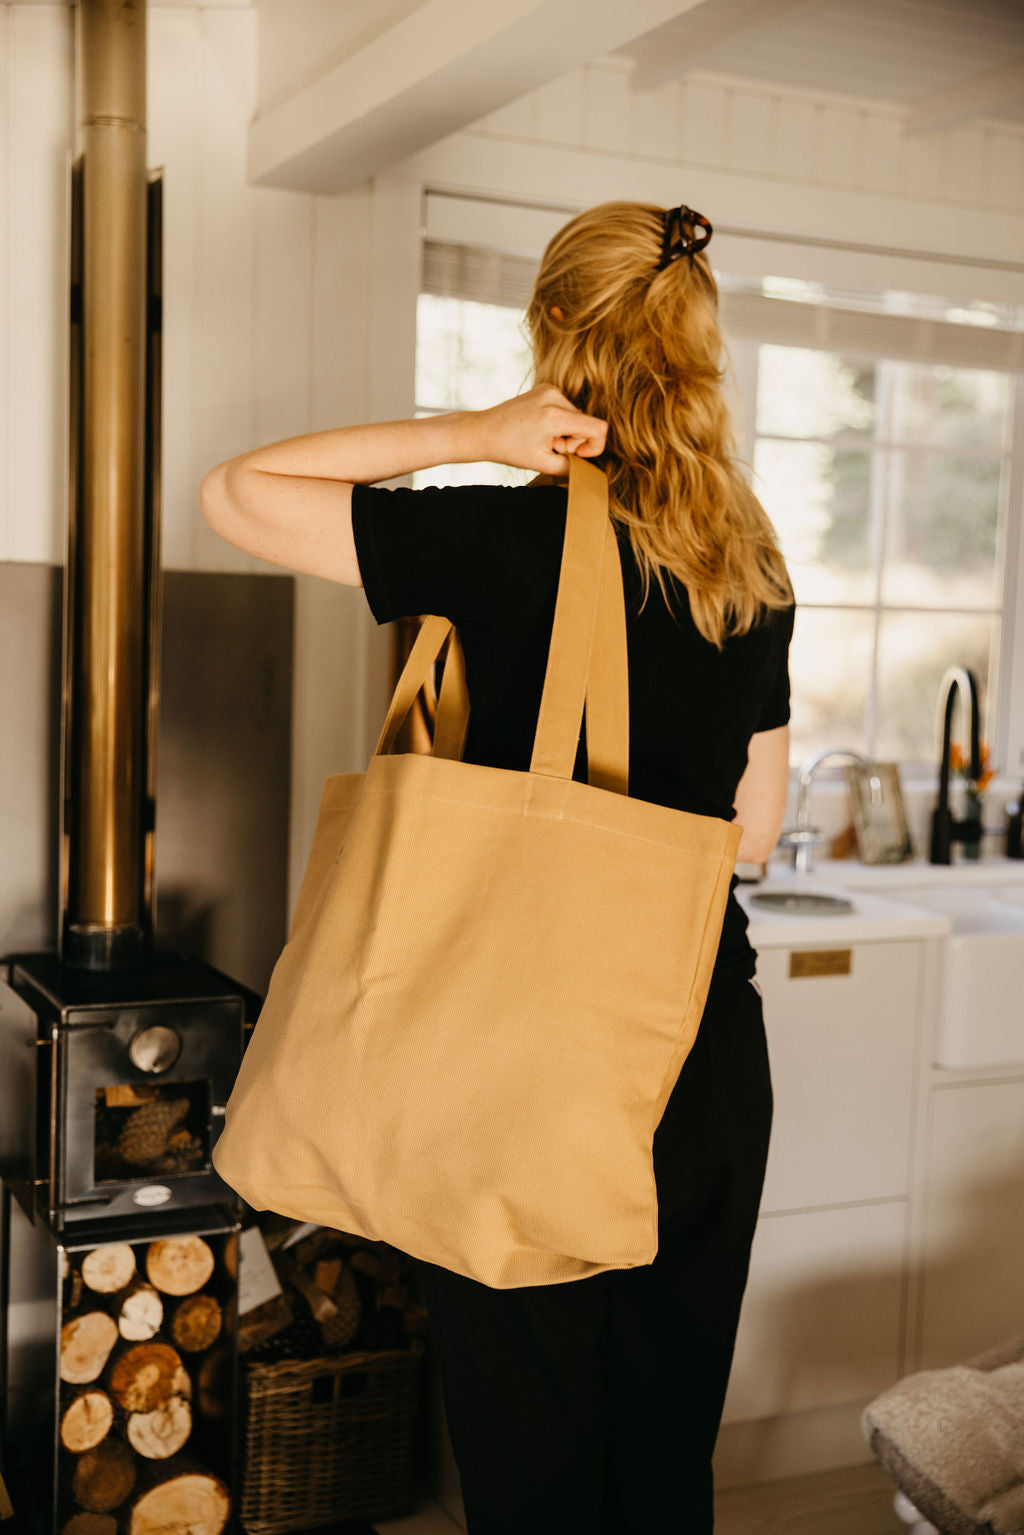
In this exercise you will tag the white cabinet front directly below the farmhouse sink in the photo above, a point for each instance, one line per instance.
(973, 1241)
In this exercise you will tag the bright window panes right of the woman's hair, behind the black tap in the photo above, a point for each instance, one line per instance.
(888, 484)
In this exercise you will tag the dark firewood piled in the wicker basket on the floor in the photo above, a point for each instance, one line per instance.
(340, 1293)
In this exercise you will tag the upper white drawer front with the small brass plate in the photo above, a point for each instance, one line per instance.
(842, 1052)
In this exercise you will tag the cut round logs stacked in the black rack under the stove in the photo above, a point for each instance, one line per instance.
(144, 1356)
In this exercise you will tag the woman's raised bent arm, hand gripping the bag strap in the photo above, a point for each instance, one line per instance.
(291, 503)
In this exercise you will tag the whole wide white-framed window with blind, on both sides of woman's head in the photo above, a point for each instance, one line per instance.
(888, 480)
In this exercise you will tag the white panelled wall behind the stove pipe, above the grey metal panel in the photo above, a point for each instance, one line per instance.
(239, 274)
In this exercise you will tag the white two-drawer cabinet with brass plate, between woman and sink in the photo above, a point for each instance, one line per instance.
(822, 1319)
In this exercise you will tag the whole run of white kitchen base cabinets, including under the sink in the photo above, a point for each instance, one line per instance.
(891, 1232)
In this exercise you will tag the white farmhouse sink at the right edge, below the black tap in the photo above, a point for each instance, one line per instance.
(982, 988)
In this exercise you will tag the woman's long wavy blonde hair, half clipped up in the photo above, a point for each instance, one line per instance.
(642, 349)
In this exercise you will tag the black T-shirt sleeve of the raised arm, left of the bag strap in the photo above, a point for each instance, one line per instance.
(471, 553)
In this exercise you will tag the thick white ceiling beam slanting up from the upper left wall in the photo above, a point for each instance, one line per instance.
(435, 71)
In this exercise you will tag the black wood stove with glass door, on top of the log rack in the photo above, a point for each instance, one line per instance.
(116, 1086)
